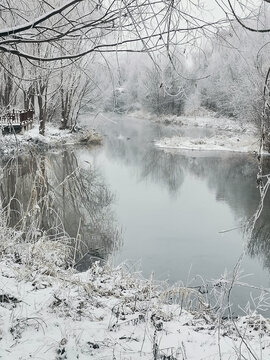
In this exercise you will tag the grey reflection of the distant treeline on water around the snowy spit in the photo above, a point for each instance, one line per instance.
(231, 176)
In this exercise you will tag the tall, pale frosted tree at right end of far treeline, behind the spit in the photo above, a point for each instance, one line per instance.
(230, 75)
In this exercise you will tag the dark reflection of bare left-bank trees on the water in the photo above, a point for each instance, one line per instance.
(59, 194)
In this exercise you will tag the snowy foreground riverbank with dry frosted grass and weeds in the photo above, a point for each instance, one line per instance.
(50, 312)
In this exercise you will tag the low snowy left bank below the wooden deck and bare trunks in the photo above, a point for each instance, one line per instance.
(53, 138)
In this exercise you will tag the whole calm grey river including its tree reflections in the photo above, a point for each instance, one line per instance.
(169, 214)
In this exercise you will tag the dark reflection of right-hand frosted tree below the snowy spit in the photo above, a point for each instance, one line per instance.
(234, 181)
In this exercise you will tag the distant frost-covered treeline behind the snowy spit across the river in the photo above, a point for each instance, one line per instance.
(225, 76)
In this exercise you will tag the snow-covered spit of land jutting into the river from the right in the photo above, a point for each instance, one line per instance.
(228, 135)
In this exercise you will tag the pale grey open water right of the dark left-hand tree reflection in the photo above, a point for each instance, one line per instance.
(174, 206)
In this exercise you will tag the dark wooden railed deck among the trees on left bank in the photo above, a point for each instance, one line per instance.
(16, 121)
